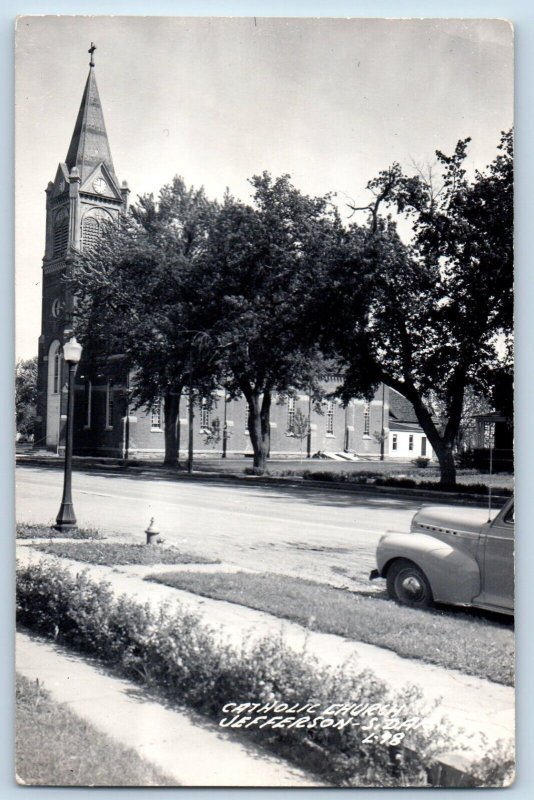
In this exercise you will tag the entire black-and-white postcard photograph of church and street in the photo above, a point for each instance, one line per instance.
(264, 402)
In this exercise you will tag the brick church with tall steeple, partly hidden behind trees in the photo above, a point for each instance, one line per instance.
(85, 194)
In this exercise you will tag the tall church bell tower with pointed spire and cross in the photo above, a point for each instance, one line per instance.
(84, 195)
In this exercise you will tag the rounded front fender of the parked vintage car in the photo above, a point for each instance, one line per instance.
(453, 574)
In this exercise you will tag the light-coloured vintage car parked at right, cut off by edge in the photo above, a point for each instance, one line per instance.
(462, 557)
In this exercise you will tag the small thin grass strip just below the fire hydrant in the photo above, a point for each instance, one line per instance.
(114, 553)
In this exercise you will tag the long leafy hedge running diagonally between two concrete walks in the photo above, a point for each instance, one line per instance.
(184, 660)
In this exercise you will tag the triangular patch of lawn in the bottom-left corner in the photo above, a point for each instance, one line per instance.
(54, 747)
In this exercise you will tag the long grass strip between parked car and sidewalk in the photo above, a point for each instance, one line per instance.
(453, 640)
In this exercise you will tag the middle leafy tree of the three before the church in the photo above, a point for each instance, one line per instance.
(253, 279)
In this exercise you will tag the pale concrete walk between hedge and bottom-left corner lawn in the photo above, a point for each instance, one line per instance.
(184, 746)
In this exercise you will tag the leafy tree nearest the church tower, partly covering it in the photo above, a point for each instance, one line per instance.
(133, 299)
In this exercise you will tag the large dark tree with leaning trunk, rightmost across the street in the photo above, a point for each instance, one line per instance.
(427, 318)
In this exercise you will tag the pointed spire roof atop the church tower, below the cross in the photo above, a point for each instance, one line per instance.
(89, 145)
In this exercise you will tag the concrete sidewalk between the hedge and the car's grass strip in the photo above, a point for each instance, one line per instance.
(476, 705)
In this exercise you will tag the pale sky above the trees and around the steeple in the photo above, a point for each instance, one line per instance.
(217, 100)
